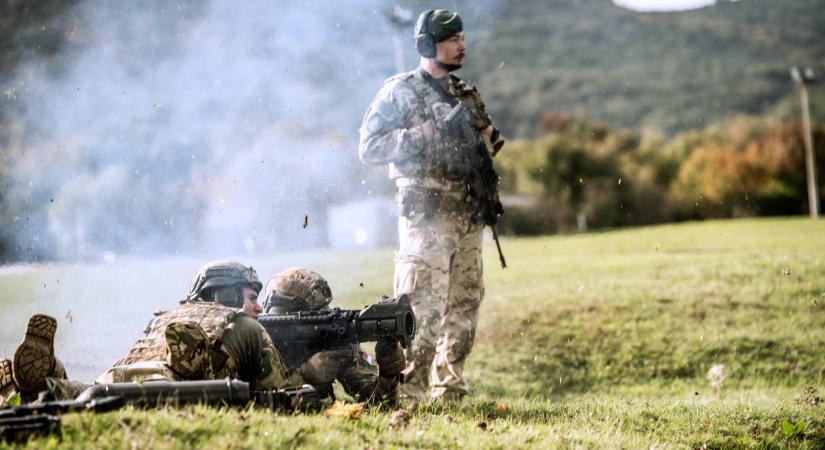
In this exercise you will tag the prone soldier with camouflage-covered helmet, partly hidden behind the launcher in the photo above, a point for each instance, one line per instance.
(300, 289)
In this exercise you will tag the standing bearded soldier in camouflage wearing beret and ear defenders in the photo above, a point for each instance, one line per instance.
(439, 261)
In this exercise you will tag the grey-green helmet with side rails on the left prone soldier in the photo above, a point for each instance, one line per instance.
(222, 282)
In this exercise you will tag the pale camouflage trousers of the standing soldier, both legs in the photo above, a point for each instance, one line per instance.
(439, 266)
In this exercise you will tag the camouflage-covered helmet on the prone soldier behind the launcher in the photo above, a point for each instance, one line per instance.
(296, 289)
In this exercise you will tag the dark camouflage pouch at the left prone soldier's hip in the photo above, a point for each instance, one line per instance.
(187, 348)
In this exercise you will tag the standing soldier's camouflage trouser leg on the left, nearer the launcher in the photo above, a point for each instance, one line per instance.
(422, 272)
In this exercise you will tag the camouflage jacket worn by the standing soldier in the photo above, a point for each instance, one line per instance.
(392, 130)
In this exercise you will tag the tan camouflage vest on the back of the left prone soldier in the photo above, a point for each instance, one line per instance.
(213, 318)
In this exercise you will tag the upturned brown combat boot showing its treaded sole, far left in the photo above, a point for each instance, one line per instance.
(34, 358)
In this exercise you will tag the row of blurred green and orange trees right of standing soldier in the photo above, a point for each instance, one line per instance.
(577, 174)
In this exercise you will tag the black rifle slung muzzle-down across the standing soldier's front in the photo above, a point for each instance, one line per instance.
(483, 178)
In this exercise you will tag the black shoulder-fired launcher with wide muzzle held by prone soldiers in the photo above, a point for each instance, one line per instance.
(300, 335)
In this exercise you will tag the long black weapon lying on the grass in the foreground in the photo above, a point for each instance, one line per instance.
(20, 422)
